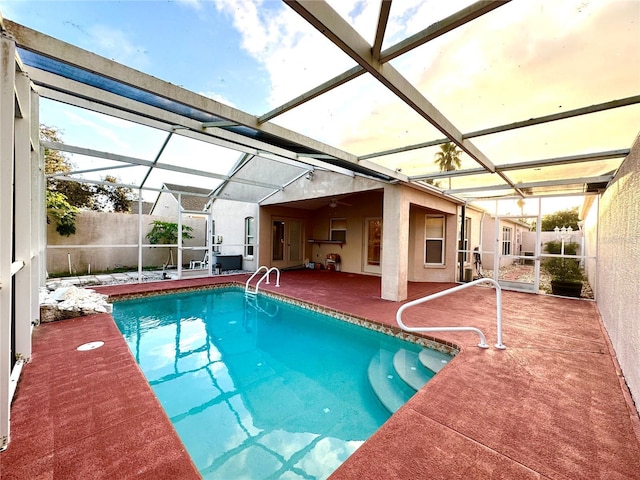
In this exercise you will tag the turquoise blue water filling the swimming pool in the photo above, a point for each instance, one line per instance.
(264, 389)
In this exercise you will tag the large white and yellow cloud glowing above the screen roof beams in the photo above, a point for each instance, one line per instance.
(522, 60)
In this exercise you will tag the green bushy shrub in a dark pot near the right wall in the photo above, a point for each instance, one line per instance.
(566, 274)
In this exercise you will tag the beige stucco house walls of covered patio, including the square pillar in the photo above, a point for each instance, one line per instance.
(402, 209)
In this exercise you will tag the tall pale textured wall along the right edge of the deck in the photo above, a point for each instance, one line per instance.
(617, 291)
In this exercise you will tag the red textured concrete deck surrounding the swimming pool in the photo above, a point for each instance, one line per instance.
(552, 405)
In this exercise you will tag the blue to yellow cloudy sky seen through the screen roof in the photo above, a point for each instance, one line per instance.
(525, 59)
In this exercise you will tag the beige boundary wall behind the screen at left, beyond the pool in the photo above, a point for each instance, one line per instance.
(102, 228)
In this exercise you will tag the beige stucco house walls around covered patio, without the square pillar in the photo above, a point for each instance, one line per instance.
(307, 201)
